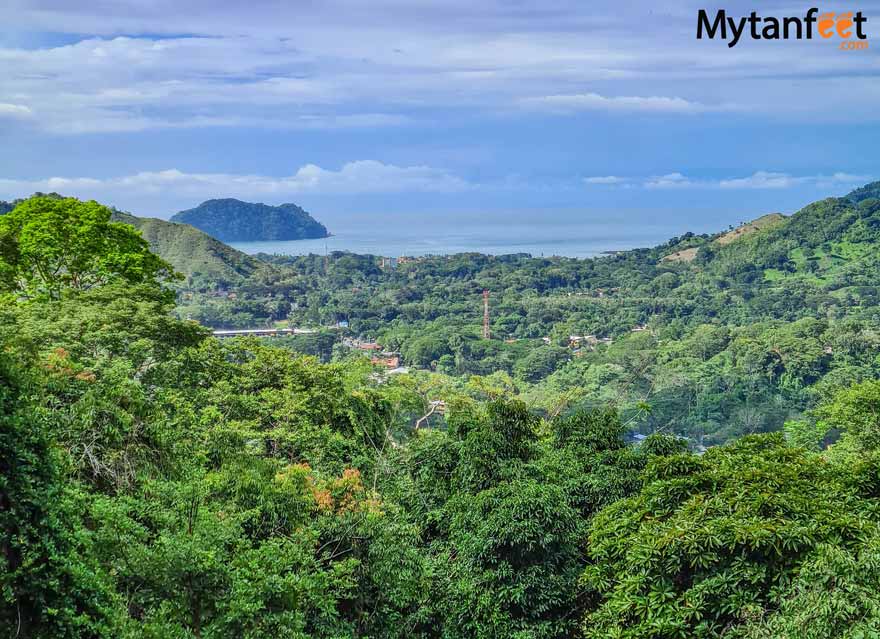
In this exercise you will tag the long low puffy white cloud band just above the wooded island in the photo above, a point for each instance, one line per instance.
(362, 176)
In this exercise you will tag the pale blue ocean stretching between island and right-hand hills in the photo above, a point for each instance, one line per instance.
(560, 233)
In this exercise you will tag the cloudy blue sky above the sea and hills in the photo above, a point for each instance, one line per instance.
(426, 108)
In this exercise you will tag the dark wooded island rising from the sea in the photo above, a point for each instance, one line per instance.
(232, 220)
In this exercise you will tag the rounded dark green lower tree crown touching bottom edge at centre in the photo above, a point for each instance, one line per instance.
(512, 565)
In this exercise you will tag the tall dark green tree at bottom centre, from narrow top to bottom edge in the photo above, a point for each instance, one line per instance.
(508, 560)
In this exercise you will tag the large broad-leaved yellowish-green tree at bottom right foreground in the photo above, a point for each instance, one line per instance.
(710, 543)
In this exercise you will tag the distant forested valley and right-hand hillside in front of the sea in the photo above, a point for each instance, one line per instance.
(764, 323)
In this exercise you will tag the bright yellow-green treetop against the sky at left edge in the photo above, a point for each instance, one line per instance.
(48, 244)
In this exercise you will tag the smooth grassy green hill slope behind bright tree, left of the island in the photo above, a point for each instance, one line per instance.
(195, 254)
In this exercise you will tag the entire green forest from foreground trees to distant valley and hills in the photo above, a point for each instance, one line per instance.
(156, 482)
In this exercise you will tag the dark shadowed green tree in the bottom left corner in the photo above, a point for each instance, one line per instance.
(50, 585)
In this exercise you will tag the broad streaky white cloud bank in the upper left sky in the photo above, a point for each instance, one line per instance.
(129, 84)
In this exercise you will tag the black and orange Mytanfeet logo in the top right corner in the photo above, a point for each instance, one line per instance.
(847, 27)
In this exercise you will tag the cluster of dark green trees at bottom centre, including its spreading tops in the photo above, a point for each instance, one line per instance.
(504, 510)
